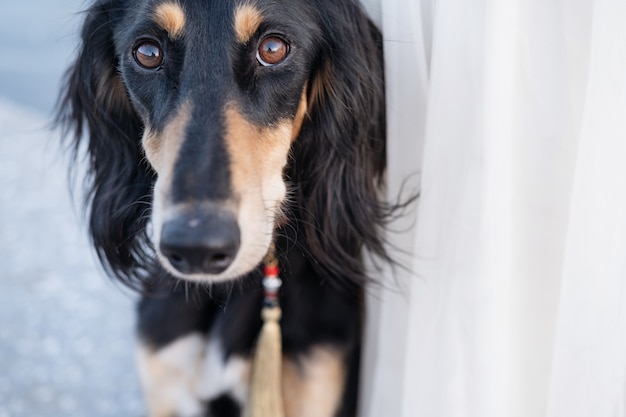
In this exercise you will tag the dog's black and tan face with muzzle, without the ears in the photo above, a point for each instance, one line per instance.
(222, 91)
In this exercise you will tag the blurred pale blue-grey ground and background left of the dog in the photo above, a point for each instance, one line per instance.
(66, 331)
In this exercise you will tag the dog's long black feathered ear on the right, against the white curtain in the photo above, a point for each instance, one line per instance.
(339, 157)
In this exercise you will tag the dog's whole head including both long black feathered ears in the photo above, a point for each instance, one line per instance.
(205, 116)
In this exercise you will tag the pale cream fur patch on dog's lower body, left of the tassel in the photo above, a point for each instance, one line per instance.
(169, 376)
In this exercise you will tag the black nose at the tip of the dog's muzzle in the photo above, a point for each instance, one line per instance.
(200, 243)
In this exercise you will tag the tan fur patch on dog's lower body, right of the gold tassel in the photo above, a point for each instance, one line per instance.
(314, 386)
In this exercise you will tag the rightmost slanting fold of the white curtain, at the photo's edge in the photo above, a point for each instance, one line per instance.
(588, 376)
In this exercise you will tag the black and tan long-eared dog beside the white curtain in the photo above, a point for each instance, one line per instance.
(215, 130)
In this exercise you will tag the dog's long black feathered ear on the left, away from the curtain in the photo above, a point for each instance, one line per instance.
(97, 117)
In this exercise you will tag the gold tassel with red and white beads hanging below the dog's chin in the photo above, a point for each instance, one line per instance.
(266, 399)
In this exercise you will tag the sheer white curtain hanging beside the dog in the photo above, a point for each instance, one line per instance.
(510, 116)
